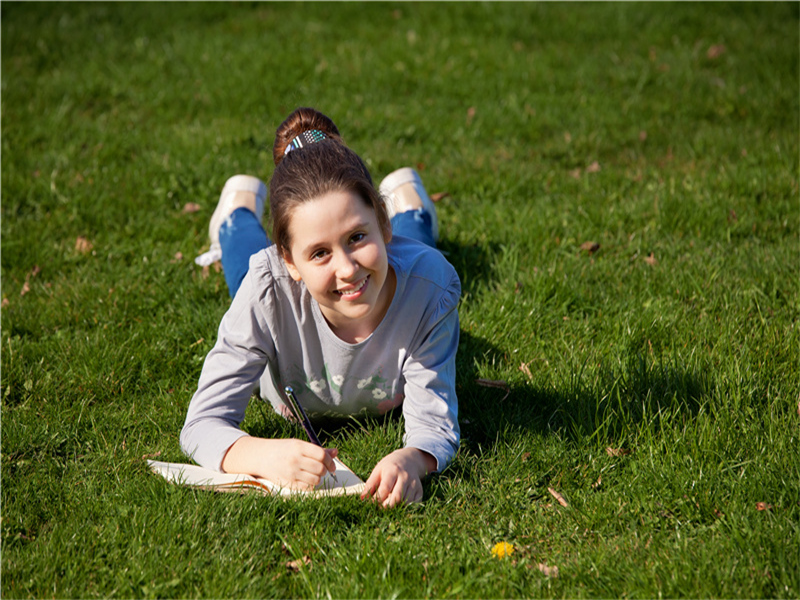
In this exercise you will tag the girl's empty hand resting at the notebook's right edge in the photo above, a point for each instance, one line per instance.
(397, 478)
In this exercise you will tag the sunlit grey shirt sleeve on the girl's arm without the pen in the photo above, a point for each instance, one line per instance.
(430, 408)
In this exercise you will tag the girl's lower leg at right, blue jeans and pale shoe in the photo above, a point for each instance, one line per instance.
(411, 210)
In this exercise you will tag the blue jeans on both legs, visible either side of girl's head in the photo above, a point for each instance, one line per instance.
(242, 235)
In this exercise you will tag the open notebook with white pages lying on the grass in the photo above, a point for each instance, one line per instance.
(346, 481)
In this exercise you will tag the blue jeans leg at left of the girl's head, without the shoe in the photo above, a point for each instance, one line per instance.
(240, 236)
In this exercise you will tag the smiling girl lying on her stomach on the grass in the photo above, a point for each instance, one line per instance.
(349, 304)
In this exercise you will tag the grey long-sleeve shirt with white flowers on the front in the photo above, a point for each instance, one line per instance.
(275, 335)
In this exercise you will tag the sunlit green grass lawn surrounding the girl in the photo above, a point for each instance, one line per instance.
(677, 340)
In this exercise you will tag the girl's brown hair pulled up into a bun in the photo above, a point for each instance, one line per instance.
(315, 170)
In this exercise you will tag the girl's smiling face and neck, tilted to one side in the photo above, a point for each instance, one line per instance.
(338, 250)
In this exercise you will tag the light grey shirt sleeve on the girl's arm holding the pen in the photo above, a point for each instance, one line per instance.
(229, 376)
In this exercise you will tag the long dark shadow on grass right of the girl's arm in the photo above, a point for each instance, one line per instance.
(616, 405)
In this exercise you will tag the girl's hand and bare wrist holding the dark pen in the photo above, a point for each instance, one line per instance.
(291, 463)
